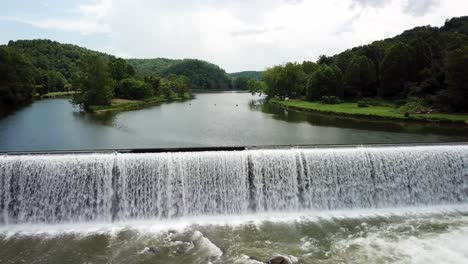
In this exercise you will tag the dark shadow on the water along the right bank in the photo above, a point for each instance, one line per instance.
(329, 120)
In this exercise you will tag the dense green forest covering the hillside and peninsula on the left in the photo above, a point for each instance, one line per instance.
(37, 67)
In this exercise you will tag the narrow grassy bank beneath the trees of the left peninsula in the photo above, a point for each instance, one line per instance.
(120, 105)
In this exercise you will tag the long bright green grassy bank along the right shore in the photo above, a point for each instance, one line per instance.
(385, 112)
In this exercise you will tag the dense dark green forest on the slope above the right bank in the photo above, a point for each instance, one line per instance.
(425, 68)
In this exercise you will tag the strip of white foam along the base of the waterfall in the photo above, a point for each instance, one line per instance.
(159, 226)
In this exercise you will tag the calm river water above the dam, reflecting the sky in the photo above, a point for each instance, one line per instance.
(211, 119)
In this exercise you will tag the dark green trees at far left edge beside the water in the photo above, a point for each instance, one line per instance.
(16, 80)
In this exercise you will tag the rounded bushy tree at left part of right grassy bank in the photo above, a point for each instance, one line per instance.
(325, 81)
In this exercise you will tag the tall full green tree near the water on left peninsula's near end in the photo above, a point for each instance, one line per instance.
(94, 84)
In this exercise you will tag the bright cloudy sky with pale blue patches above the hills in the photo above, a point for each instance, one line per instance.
(237, 35)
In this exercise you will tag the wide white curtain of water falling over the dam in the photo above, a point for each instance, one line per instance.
(112, 187)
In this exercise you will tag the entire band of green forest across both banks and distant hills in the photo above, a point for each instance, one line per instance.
(425, 69)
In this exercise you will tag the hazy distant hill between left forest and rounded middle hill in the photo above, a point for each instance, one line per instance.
(149, 67)
